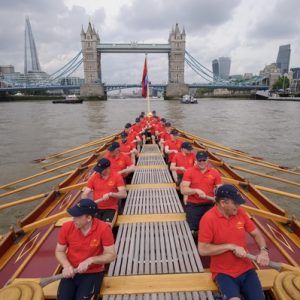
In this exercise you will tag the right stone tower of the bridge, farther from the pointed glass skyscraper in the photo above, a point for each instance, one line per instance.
(176, 86)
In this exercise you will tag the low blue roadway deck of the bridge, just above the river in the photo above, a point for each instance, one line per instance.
(111, 87)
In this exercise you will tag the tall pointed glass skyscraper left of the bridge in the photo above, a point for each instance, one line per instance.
(31, 60)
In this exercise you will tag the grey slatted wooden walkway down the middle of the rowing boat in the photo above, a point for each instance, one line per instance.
(151, 248)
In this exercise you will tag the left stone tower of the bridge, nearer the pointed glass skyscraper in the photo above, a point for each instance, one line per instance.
(93, 86)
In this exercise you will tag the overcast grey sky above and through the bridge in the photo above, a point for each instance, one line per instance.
(248, 31)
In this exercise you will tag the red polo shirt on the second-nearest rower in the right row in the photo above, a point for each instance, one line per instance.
(204, 181)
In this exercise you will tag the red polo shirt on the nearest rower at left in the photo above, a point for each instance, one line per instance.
(81, 247)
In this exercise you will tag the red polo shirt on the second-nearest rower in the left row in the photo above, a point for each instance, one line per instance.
(101, 186)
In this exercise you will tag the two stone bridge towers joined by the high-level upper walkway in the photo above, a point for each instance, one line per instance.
(92, 50)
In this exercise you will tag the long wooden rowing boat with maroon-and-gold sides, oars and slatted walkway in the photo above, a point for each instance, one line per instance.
(156, 254)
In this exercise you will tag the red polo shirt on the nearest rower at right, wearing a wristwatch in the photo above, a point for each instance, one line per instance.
(214, 228)
